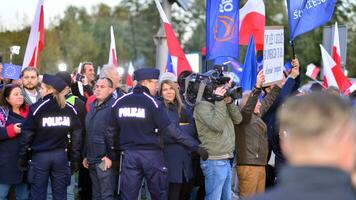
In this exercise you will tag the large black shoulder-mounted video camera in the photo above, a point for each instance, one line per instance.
(203, 85)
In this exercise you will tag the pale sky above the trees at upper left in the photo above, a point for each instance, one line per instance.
(14, 14)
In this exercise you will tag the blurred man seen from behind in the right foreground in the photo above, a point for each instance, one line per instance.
(319, 141)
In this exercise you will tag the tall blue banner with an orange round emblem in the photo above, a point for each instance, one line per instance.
(222, 29)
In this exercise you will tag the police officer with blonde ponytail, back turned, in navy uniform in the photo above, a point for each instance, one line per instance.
(46, 132)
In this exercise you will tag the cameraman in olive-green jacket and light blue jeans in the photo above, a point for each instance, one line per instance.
(215, 121)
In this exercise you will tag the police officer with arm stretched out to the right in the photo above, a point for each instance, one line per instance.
(139, 118)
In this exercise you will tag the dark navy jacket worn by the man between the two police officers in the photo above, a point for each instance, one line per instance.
(96, 122)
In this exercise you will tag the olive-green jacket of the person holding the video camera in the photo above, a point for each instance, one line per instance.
(215, 125)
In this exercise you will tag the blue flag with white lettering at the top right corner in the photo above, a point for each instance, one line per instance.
(306, 15)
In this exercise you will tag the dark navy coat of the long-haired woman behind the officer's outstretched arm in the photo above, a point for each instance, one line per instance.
(177, 156)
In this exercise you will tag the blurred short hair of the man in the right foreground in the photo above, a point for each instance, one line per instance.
(313, 116)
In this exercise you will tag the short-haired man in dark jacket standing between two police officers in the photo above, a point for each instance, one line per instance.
(96, 121)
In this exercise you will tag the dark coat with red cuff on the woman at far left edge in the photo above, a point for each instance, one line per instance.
(9, 147)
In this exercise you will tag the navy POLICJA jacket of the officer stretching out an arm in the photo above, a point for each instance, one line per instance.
(138, 118)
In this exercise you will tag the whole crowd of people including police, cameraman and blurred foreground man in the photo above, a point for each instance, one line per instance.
(83, 136)
